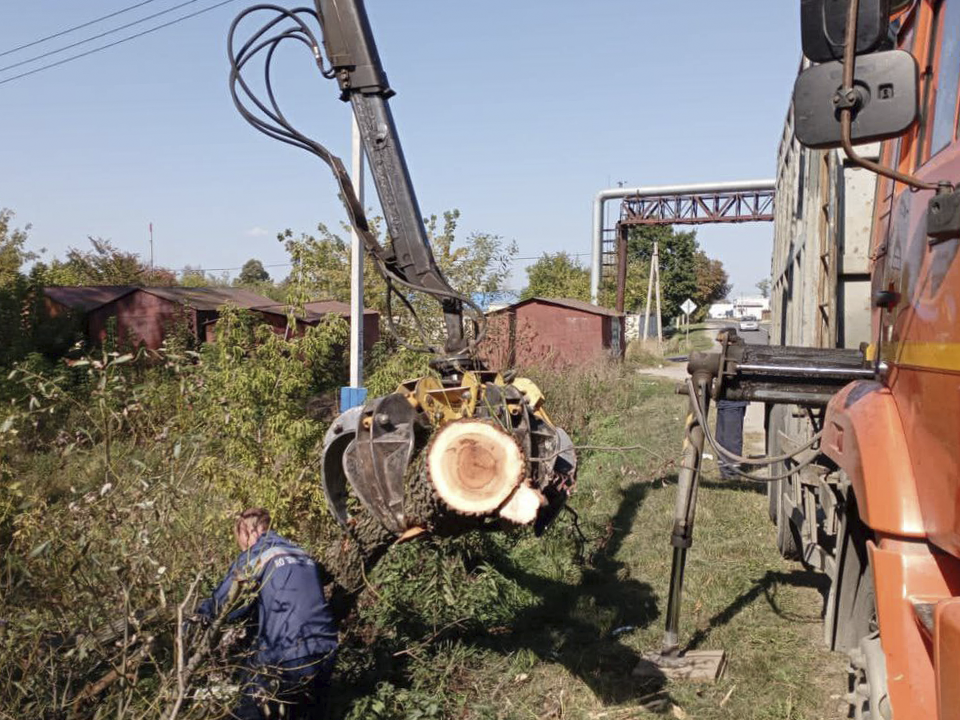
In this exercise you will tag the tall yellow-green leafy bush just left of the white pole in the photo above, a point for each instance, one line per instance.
(257, 387)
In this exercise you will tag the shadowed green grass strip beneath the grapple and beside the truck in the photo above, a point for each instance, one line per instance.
(553, 644)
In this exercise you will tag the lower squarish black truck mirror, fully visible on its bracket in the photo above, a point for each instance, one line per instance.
(885, 102)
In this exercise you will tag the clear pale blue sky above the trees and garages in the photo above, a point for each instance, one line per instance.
(514, 111)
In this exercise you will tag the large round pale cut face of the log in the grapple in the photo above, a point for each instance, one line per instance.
(474, 466)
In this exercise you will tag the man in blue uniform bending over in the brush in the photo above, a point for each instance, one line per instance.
(278, 584)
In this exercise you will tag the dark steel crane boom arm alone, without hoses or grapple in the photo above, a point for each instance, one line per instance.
(352, 52)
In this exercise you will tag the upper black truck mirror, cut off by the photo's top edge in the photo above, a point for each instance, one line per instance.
(823, 28)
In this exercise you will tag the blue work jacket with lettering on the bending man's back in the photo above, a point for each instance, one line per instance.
(282, 582)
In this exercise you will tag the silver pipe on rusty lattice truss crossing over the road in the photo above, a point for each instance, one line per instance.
(697, 204)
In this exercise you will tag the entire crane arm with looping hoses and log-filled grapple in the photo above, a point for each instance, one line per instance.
(446, 453)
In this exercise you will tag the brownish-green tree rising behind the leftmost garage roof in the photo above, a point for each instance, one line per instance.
(106, 265)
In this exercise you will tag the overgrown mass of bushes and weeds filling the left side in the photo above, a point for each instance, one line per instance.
(120, 475)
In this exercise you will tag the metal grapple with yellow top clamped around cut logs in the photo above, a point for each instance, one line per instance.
(447, 459)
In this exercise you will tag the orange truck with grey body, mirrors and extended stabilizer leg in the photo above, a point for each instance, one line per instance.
(862, 378)
